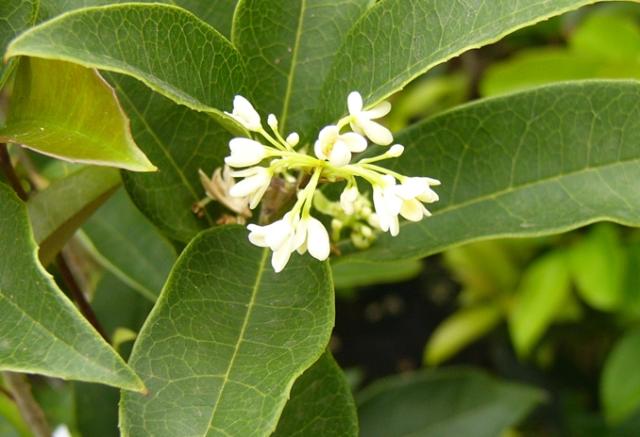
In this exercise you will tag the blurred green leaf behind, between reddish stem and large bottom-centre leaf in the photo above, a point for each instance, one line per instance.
(129, 246)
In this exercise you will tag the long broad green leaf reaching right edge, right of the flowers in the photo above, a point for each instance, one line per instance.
(535, 163)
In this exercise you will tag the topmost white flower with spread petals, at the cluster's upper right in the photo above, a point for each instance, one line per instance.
(361, 121)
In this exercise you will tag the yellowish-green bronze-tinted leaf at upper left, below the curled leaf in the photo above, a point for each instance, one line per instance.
(79, 123)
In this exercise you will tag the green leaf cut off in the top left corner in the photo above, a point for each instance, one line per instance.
(15, 16)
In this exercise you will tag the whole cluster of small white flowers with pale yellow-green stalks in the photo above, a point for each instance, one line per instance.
(256, 162)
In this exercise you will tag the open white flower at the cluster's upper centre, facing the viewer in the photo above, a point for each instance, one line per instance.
(336, 147)
